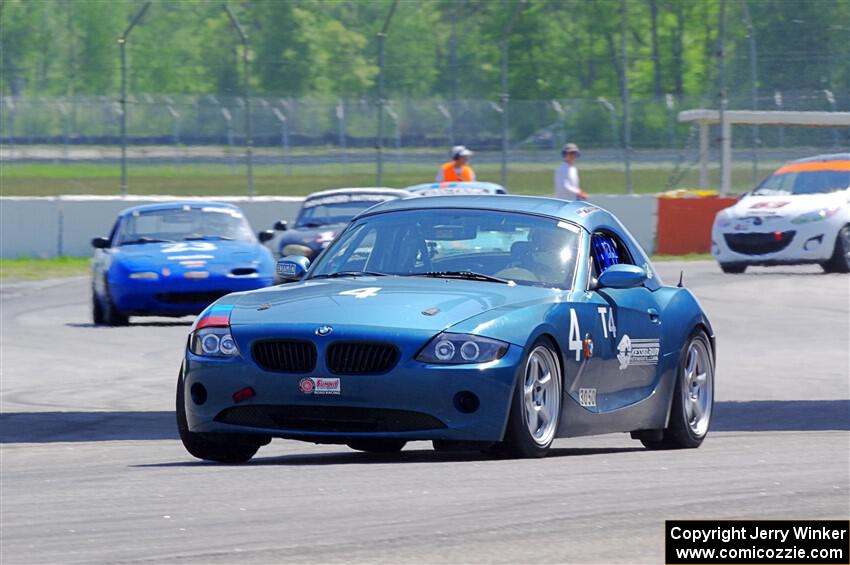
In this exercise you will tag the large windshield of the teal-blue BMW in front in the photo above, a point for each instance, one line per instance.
(478, 244)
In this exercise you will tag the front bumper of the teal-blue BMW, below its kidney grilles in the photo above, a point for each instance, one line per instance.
(414, 401)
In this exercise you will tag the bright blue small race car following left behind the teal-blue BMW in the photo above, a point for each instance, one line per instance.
(174, 259)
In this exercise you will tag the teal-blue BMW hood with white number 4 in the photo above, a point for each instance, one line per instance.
(391, 303)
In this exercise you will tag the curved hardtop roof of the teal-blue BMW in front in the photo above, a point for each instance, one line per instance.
(585, 214)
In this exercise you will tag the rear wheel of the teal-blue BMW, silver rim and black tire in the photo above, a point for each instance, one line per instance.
(693, 398)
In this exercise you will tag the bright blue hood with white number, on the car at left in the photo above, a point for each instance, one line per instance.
(192, 254)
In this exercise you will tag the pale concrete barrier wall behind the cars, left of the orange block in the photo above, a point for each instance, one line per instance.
(64, 225)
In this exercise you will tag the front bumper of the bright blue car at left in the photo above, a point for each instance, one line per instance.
(178, 296)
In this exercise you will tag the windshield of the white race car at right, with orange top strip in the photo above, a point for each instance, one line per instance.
(807, 178)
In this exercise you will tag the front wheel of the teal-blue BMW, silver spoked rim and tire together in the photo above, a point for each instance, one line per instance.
(536, 407)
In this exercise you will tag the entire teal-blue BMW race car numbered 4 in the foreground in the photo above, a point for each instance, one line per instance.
(492, 322)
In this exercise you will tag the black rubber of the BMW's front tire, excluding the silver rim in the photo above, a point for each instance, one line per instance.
(517, 442)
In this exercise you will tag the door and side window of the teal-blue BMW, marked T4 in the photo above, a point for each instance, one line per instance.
(633, 329)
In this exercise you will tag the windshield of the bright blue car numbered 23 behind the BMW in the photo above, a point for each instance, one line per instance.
(181, 224)
